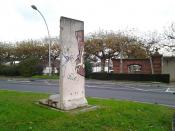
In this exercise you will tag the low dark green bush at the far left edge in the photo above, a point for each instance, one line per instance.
(10, 70)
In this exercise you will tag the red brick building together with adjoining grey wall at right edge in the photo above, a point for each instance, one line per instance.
(160, 65)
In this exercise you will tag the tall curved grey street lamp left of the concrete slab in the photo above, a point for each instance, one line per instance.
(35, 8)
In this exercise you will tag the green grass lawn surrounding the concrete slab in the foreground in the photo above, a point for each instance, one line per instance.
(18, 112)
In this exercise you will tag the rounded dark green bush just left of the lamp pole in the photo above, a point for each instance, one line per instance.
(31, 66)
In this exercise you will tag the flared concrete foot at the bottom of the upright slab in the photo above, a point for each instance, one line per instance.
(55, 102)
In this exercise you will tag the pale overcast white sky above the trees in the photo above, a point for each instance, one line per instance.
(20, 22)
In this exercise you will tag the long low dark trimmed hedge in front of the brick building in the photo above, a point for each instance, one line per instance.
(131, 77)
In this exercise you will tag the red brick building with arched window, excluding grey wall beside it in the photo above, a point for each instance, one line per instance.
(138, 66)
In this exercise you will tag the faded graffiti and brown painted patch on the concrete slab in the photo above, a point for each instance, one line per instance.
(76, 61)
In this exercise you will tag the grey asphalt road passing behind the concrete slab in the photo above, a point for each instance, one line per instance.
(142, 92)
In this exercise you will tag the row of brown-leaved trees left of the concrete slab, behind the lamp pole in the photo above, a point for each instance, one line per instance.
(23, 50)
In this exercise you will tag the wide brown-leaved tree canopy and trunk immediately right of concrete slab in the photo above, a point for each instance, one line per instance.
(107, 45)
